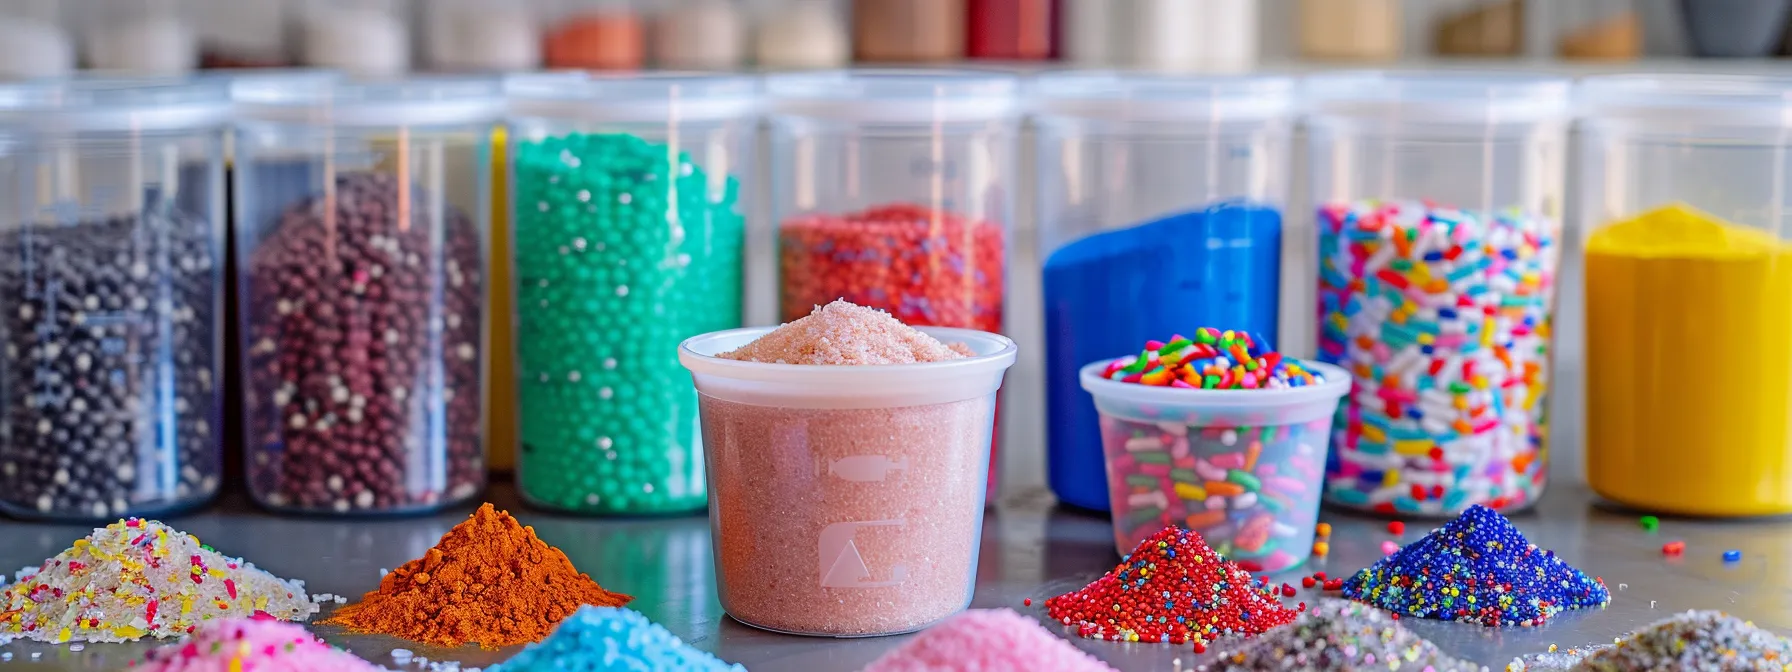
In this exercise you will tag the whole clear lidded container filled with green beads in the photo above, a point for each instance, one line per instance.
(630, 234)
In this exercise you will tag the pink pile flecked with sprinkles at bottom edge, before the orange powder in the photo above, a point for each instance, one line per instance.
(252, 646)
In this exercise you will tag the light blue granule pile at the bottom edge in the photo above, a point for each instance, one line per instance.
(612, 641)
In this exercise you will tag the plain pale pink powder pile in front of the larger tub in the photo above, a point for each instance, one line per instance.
(988, 641)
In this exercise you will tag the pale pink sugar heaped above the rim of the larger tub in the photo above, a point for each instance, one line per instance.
(847, 334)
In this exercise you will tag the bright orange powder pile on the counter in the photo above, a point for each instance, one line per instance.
(488, 582)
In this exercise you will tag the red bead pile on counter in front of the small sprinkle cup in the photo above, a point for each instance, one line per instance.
(1173, 589)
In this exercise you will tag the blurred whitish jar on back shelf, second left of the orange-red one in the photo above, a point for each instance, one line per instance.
(365, 39)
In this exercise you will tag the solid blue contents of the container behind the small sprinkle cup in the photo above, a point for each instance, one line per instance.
(1110, 293)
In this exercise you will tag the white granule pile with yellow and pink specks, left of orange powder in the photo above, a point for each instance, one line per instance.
(141, 578)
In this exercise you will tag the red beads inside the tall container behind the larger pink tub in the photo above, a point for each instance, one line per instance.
(924, 266)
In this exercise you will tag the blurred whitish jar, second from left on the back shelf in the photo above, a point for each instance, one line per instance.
(142, 39)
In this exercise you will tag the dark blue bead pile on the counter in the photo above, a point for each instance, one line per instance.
(1476, 569)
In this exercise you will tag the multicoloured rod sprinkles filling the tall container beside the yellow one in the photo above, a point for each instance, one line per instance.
(1443, 320)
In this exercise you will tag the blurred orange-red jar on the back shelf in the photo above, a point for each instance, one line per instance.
(594, 35)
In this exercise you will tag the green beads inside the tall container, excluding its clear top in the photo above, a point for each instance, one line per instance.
(623, 250)
